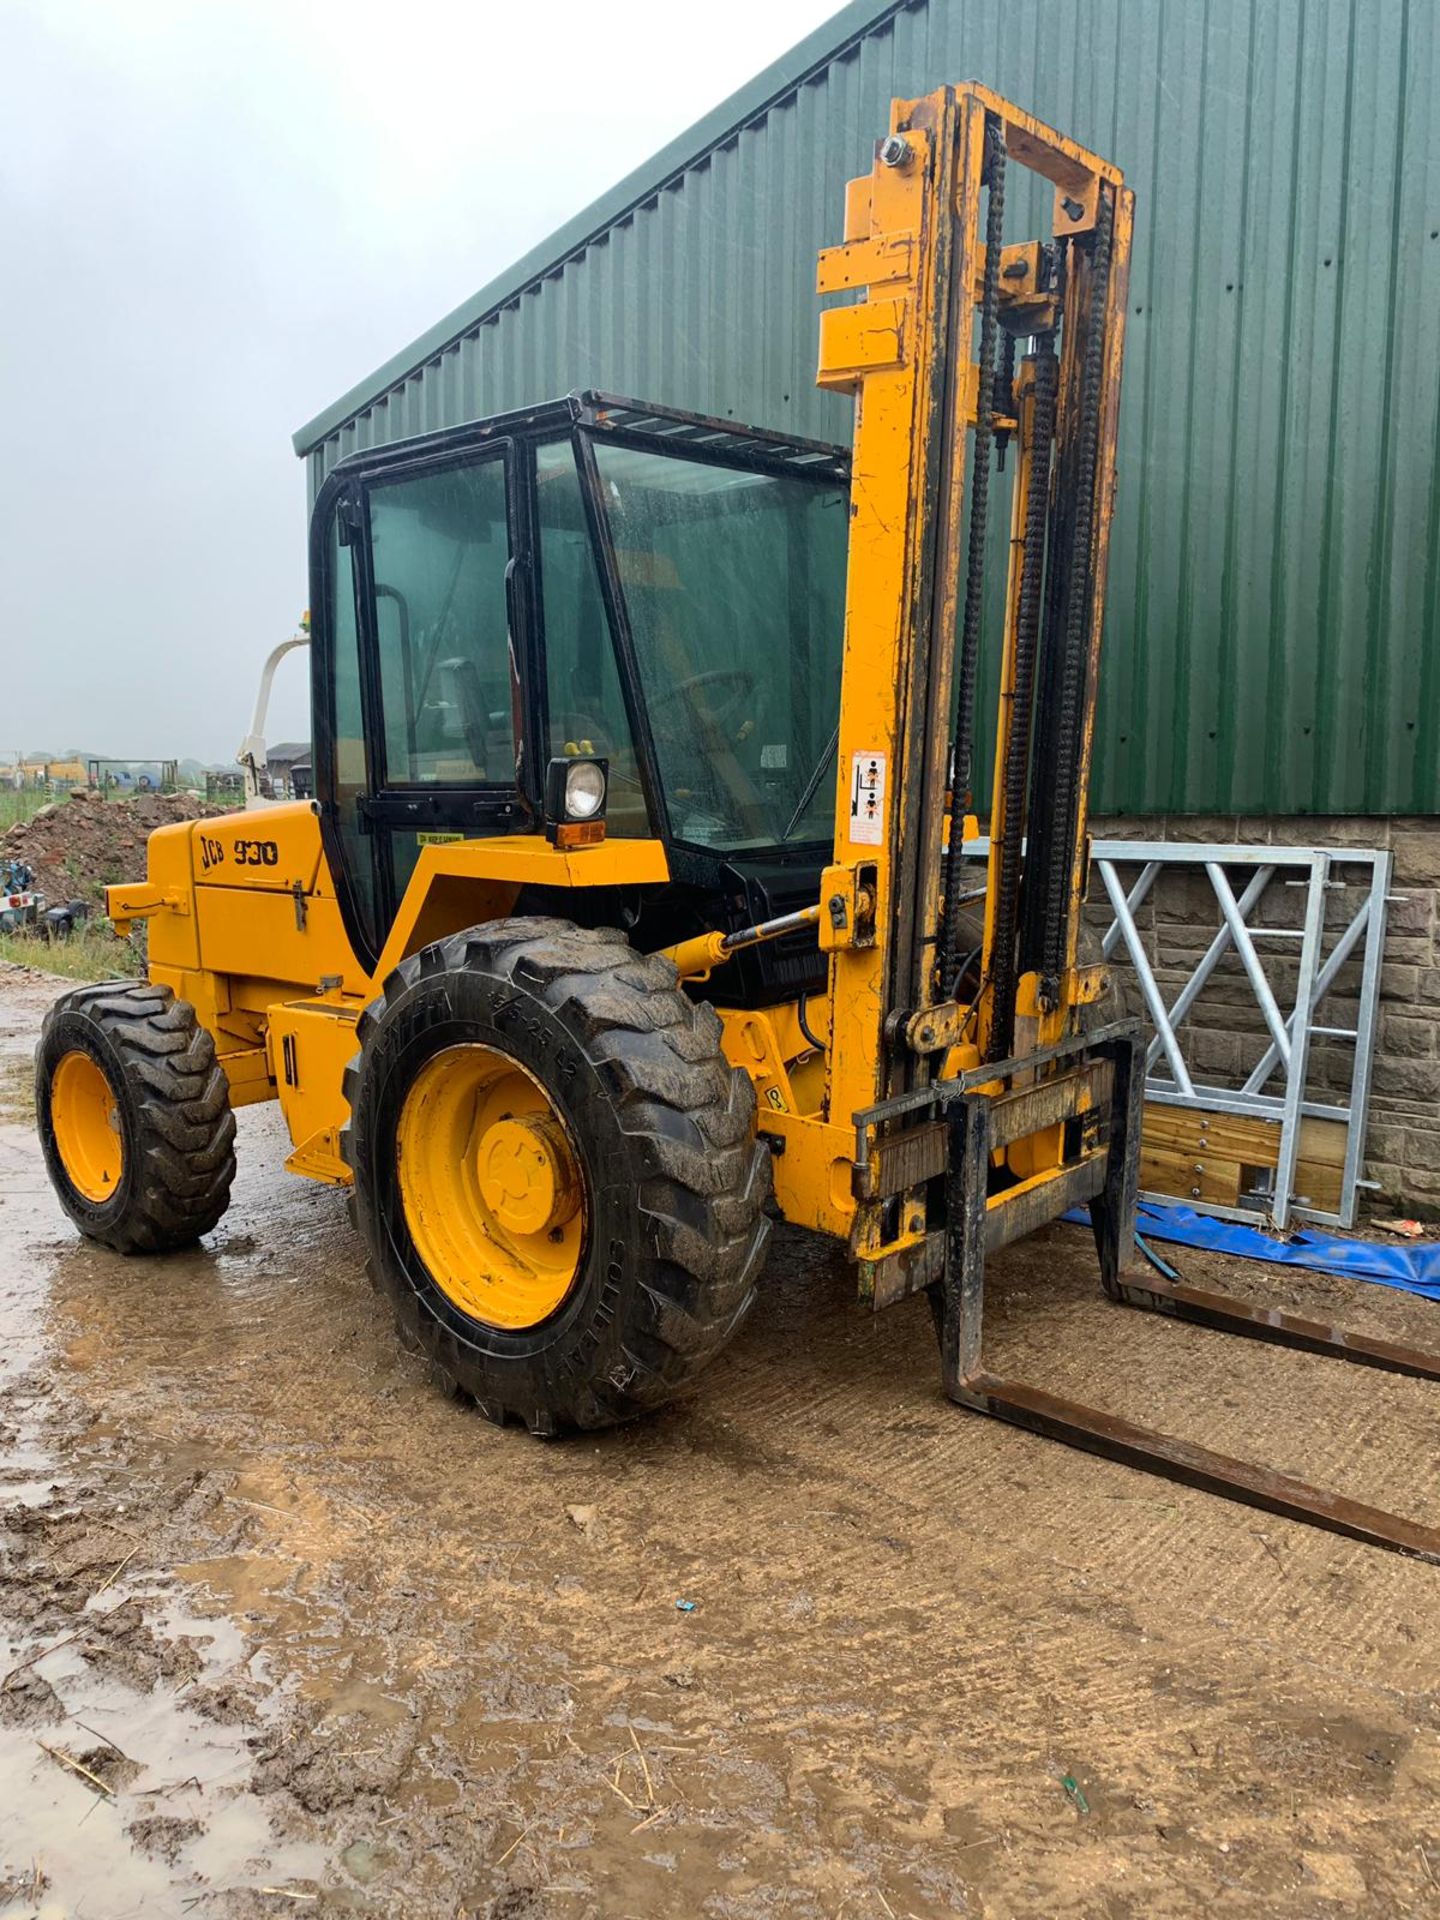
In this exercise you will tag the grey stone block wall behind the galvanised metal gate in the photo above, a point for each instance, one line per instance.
(1226, 1036)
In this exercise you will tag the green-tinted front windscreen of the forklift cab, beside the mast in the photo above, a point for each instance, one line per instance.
(736, 594)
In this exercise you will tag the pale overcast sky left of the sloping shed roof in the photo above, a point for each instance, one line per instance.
(214, 222)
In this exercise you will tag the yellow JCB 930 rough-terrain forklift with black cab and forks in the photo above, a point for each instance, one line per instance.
(642, 878)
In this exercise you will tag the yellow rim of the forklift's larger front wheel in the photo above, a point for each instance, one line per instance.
(492, 1188)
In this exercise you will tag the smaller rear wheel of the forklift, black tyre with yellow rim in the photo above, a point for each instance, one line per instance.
(135, 1116)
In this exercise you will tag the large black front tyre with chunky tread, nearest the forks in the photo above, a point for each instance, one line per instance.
(661, 1145)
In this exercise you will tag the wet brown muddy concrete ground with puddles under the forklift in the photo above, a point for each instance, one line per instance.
(329, 1644)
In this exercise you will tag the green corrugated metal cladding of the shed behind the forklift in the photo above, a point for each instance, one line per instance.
(1274, 633)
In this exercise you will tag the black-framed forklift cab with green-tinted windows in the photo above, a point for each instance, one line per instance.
(590, 579)
